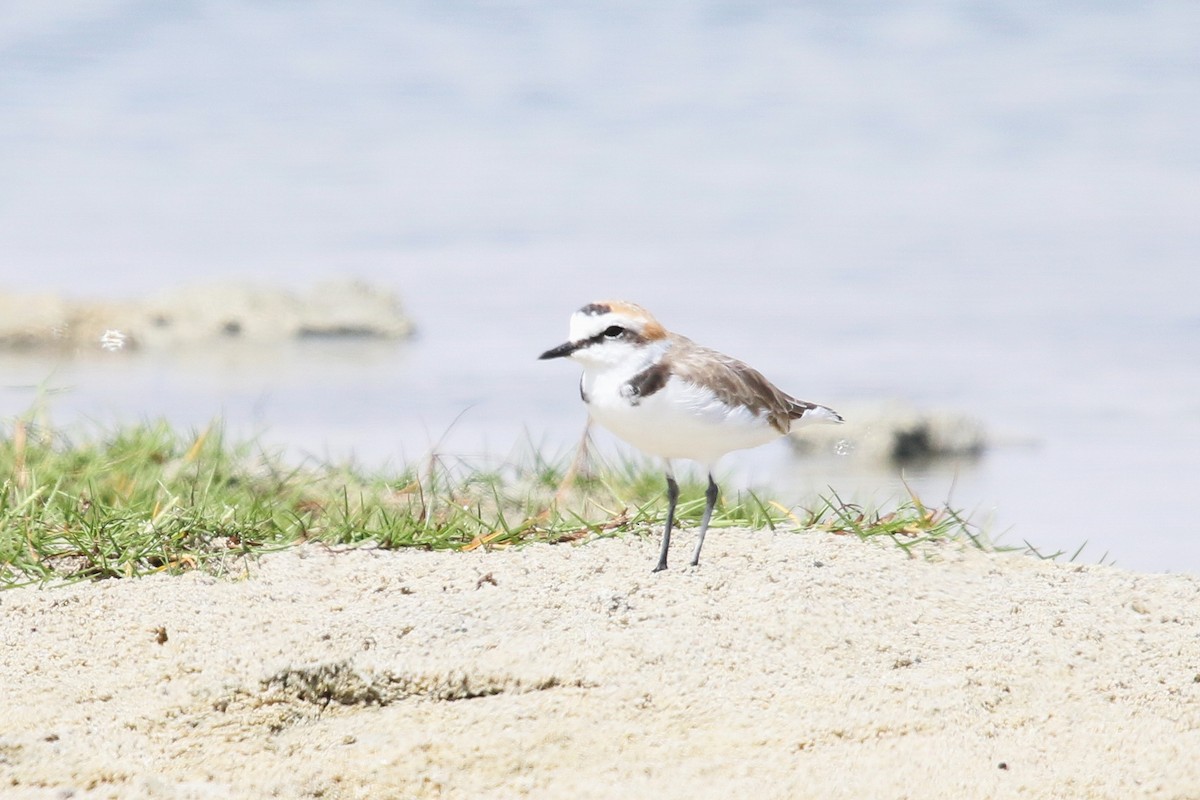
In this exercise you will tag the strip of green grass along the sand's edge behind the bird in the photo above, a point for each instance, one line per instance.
(148, 498)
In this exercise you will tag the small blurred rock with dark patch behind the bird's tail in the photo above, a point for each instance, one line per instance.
(897, 435)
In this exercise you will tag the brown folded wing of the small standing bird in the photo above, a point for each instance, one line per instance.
(735, 383)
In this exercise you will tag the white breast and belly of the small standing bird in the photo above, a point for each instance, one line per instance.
(680, 422)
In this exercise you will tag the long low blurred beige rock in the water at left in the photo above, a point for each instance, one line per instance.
(199, 315)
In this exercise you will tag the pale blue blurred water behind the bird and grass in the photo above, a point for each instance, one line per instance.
(985, 208)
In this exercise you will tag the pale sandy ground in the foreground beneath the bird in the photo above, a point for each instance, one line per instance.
(787, 666)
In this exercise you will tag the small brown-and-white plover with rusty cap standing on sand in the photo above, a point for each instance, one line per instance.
(674, 399)
